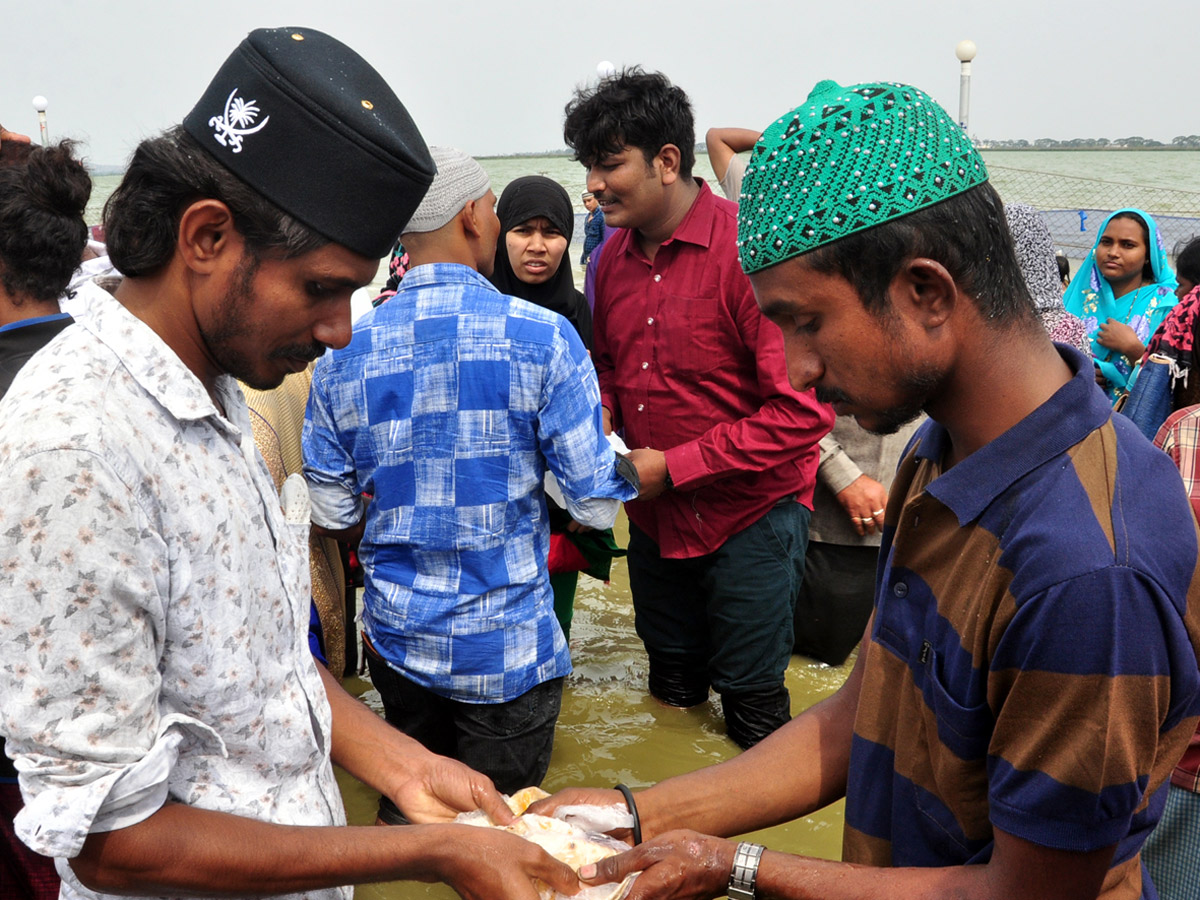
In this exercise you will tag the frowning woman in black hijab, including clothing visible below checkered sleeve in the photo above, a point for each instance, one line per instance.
(537, 223)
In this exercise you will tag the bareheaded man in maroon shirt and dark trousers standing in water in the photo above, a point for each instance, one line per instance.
(695, 376)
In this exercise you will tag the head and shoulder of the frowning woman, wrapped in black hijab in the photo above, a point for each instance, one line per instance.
(537, 223)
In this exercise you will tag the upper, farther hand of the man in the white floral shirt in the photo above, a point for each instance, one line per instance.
(435, 789)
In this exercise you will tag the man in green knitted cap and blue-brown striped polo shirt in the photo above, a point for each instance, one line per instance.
(1030, 674)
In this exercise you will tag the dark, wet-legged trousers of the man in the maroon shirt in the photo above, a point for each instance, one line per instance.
(724, 620)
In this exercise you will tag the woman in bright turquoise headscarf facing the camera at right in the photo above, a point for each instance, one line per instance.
(1123, 292)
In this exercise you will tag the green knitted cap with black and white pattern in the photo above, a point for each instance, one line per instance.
(847, 160)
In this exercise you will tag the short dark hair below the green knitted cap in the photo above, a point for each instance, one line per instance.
(967, 233)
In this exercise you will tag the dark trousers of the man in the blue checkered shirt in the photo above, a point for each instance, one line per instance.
(508, 742)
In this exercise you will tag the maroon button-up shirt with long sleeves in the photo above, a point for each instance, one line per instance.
(691, 367)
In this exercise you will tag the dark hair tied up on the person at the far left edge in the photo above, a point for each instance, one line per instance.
(43, 233)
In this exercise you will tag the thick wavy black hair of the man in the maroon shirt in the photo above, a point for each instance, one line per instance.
(633, 109)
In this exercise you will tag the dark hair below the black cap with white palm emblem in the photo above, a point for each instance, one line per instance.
(165, 177)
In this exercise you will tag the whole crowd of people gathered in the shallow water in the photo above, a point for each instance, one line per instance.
(863, 413)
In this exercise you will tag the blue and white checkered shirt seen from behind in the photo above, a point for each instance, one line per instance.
(448, 406)
